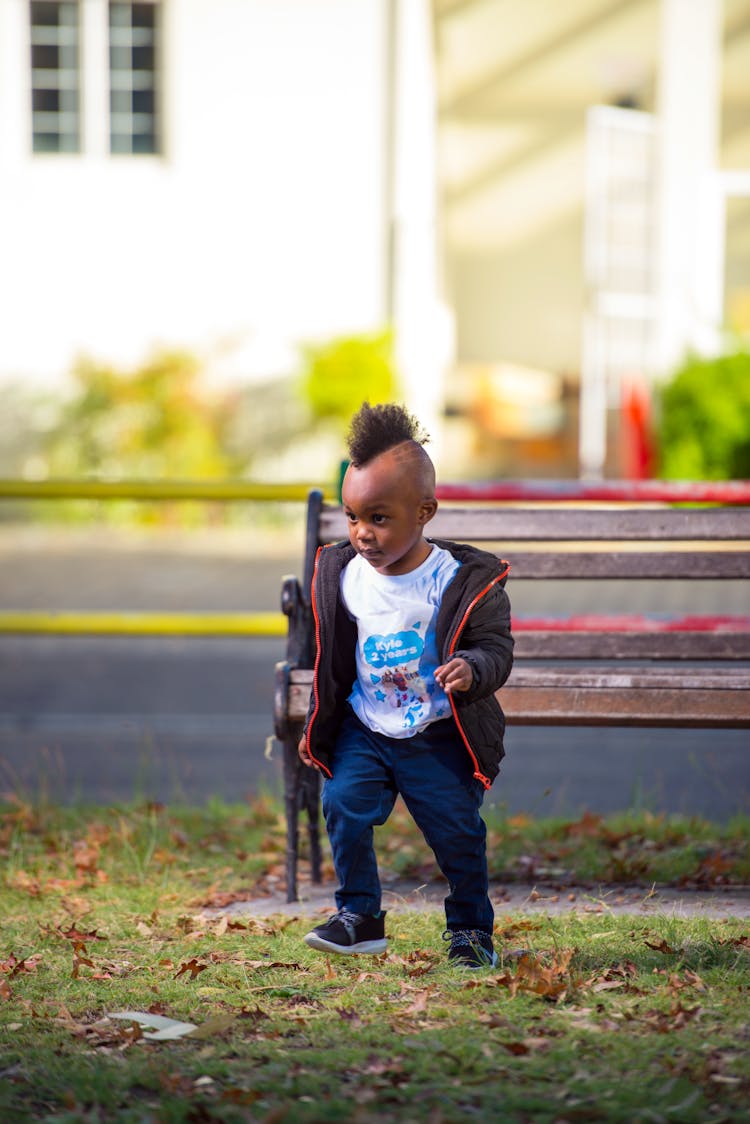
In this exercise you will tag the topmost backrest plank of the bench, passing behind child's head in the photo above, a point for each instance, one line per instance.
(510, 524)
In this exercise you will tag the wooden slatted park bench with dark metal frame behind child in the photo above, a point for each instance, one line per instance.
(594, 670)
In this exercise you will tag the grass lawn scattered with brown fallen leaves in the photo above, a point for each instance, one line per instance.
(114, 912)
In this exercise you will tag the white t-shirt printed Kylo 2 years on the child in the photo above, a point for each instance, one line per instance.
(396, 693)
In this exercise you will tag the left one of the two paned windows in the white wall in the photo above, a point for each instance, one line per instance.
(56, 77)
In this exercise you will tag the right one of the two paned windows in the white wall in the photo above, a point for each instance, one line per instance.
(133, 95)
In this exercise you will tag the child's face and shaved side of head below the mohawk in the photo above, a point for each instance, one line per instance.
(387, 511)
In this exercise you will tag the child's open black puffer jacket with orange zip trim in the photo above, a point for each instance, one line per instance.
(474, 622)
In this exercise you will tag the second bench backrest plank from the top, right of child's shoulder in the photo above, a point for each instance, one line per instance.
(650, 566)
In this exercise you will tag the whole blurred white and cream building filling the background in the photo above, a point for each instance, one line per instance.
(238, 177)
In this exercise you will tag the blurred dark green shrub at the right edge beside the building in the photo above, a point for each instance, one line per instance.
(704, 420)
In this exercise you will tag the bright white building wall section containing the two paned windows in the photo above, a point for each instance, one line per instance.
(193, 174)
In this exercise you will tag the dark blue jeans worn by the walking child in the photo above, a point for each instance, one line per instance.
(435, 775)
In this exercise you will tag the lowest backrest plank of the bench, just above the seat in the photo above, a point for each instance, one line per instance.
(539, 645)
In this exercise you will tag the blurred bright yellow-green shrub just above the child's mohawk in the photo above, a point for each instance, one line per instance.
(339, 376)
